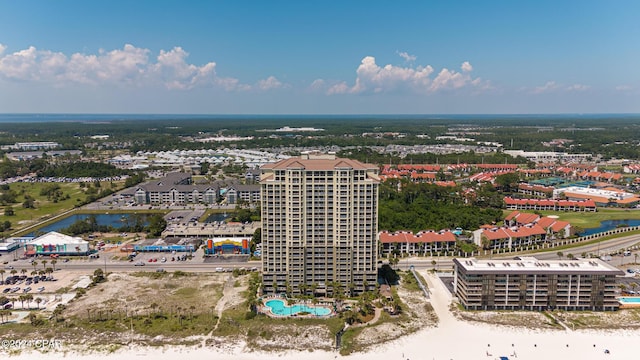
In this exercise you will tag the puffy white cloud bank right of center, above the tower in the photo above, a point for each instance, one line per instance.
(372, 78)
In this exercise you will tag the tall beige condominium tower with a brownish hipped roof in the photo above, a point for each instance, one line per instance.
(319, 225)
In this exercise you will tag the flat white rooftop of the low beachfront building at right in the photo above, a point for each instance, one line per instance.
(531, 265)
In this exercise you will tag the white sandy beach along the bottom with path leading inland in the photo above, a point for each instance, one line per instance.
(451, 339)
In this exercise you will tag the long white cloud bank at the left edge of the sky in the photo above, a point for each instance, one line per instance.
(130, 66)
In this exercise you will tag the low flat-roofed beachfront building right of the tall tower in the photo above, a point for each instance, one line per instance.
(530, 284)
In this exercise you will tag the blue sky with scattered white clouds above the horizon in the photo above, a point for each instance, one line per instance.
(319, 57)
